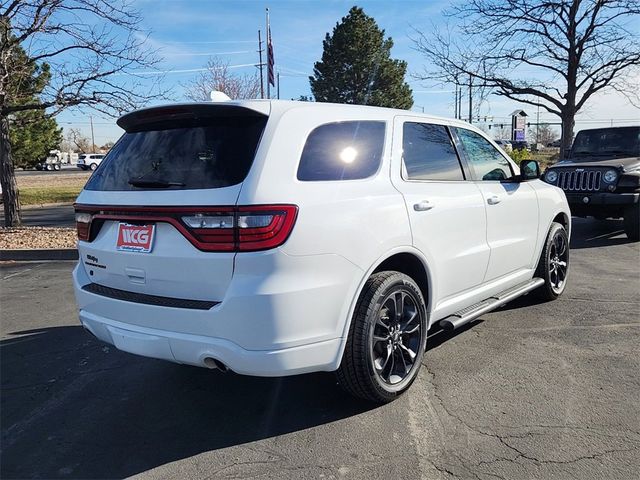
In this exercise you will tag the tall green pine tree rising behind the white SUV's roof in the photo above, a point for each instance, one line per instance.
(357, 67)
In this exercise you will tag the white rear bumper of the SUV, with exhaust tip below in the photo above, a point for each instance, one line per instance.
(271, 322)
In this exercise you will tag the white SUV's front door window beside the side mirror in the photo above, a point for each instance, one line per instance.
(486, 161)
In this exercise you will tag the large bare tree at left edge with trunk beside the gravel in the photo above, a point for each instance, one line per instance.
(92, 53)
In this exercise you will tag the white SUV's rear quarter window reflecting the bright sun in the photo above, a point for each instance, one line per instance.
(342, 151)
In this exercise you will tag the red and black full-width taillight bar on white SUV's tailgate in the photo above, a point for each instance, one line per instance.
(211, 229)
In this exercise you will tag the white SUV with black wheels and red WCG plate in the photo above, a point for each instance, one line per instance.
(276, 238)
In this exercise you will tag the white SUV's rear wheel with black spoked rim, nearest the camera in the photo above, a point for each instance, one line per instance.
(377, 336)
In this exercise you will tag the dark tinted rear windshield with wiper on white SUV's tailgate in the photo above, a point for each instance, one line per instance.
(187, 154)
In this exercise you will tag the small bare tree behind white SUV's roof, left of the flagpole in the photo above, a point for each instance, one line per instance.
(219, 76)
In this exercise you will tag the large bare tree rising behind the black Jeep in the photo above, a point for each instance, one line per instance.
(552, 54)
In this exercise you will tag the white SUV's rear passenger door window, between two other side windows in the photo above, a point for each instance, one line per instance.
(428, 153)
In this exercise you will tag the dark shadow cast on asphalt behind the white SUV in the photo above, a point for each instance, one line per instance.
(74, 407)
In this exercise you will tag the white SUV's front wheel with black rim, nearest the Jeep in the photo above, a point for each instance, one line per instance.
(553, 266)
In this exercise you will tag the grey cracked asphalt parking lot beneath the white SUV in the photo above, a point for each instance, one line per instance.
(533, 390)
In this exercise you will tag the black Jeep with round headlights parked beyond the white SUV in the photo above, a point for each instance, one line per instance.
(601, 176)
